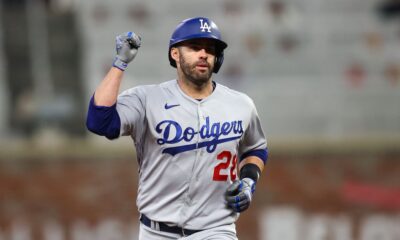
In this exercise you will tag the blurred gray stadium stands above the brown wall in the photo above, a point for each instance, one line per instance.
(53, 53)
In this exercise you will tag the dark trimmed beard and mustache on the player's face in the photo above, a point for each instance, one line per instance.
(191, 74)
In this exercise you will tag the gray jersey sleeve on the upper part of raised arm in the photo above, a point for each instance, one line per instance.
(131, 110)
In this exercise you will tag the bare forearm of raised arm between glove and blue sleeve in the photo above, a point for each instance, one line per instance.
(107, 92)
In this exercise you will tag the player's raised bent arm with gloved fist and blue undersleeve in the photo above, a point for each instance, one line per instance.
(102, 117)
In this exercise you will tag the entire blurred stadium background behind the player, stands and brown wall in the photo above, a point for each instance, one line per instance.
(325, 76)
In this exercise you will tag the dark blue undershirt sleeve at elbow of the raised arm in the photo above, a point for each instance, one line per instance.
(103, 121)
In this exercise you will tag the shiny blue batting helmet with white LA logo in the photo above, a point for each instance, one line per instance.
(194, 28)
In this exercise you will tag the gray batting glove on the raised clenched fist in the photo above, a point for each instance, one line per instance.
(127, 45)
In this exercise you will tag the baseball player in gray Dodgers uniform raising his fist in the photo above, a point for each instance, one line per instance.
(191, 135)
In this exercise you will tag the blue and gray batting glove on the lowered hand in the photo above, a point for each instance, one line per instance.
(239, 194)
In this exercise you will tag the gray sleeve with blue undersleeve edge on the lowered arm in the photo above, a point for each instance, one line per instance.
(254, 142)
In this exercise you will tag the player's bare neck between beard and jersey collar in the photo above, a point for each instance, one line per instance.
(196, 91)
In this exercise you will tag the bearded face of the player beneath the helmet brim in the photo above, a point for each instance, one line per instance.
(196, 60)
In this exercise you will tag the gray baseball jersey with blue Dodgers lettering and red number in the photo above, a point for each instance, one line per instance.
(188, 150)
